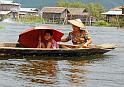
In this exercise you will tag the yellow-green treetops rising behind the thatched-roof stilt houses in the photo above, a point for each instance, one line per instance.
(95, 9)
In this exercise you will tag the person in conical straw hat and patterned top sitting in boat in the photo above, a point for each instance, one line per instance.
(79, 35)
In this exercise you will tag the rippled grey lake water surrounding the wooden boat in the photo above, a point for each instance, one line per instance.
(98, 71)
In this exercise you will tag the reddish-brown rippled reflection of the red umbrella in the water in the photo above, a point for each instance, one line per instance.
(41, 71)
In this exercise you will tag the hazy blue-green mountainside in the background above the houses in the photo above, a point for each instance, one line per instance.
(41, 3)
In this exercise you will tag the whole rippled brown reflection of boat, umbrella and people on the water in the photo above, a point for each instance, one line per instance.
(55, 72)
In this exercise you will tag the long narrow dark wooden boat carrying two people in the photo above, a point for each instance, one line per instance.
(16, 49)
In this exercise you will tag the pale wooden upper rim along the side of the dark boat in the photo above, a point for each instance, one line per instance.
(13, 46)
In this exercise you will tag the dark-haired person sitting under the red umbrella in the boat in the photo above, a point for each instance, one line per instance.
(48, 41)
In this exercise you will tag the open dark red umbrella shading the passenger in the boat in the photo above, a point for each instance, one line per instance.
(30, 37)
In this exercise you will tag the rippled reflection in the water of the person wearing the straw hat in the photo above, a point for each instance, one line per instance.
(77, 71)
